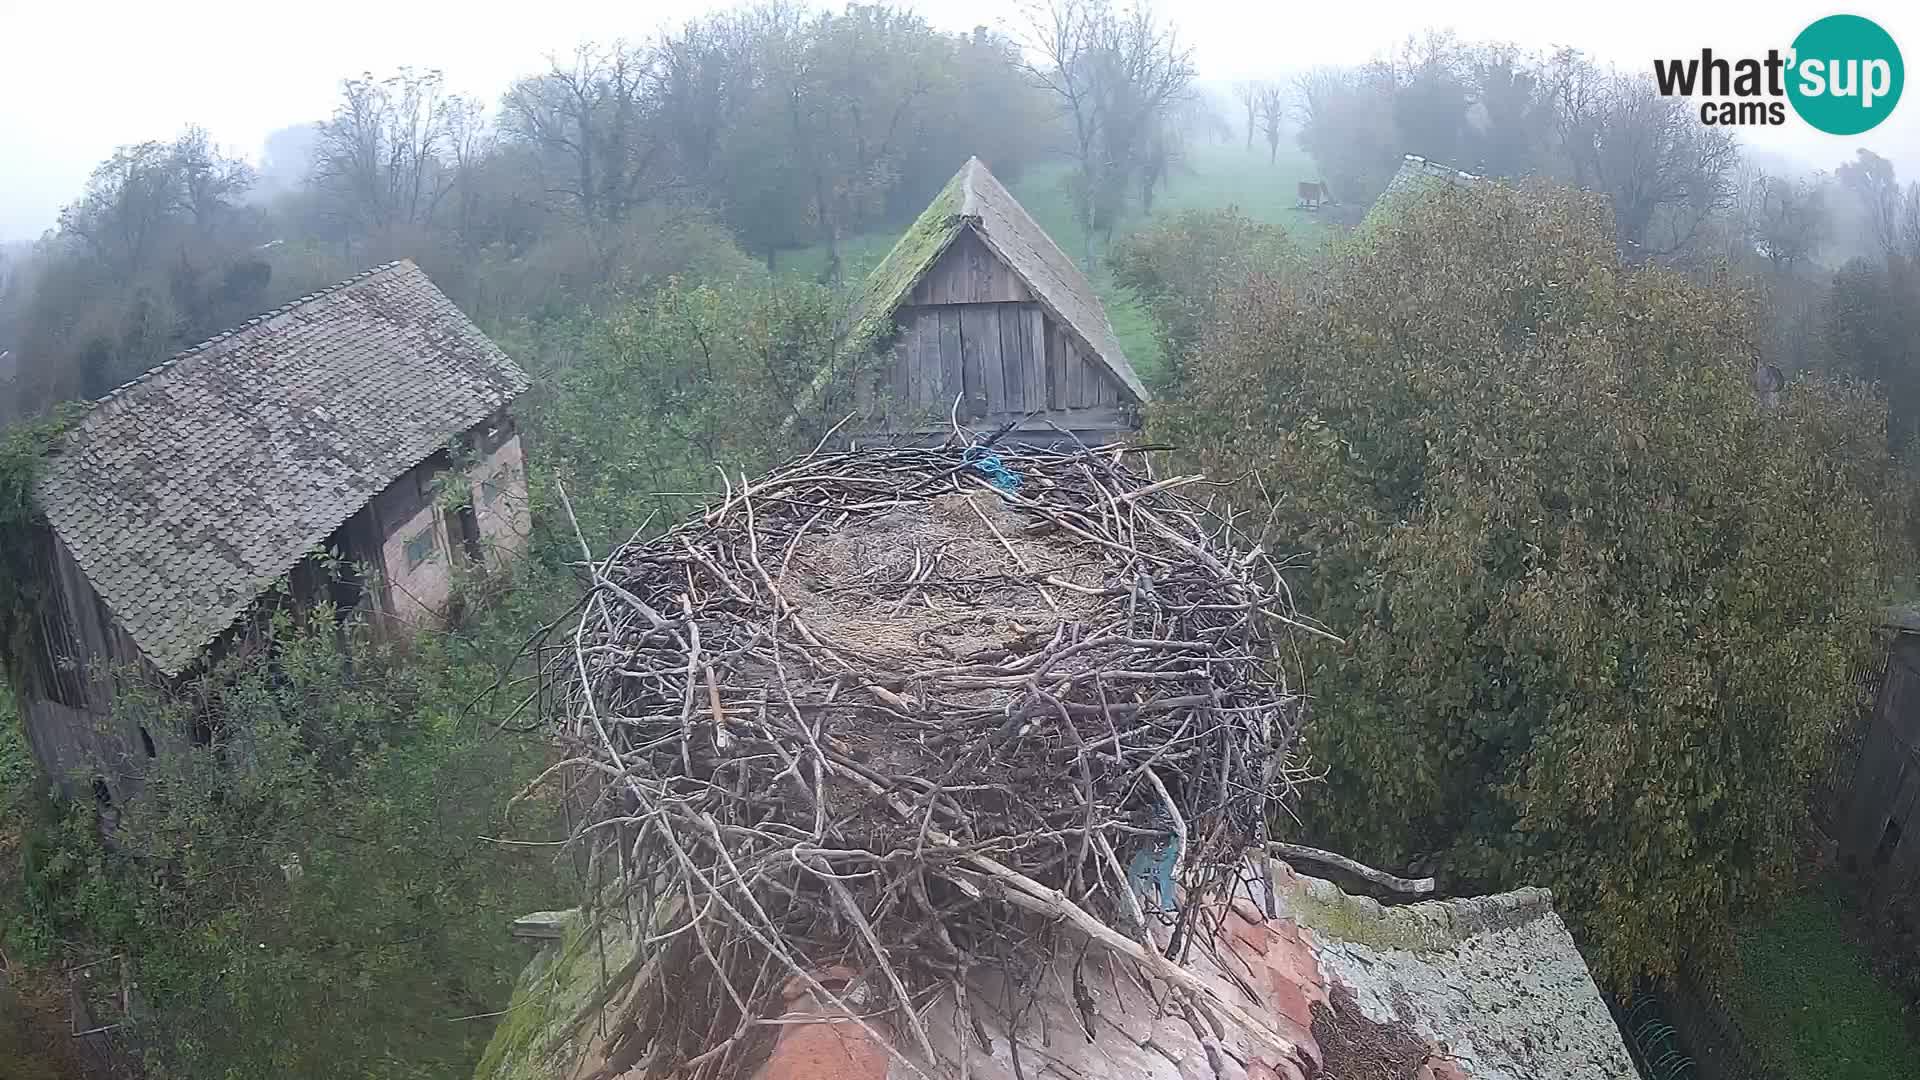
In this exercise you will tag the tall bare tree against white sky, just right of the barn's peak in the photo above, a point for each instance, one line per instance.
(1115, 78)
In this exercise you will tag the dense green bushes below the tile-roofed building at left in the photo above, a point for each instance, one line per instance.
(302, 887)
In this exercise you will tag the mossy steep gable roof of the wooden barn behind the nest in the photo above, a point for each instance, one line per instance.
(976, 201)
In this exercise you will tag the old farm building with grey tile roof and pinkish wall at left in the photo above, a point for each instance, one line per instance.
(368, 422)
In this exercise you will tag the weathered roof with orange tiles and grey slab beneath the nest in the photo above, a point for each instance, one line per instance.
(1485, 989)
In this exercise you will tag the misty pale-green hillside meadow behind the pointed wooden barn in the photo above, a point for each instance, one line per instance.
(1218, 176)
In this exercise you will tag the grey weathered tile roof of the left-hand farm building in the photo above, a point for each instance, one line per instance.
(189, 491)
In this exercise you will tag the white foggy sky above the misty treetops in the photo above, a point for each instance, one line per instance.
(84, 78)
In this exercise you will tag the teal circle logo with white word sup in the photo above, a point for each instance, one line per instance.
(1848, 74)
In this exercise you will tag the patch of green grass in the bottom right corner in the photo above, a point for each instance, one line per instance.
(1810, 1002)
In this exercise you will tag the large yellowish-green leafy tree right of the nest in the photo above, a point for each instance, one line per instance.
(1602, 608)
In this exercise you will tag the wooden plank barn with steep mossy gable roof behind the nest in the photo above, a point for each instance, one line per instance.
(978, 318)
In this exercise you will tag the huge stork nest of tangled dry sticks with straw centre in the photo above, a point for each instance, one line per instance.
(873, 724)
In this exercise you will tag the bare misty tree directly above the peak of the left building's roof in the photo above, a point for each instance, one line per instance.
(379, 159)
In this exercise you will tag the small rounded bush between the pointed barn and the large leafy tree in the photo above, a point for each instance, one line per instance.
(1184, 266)
